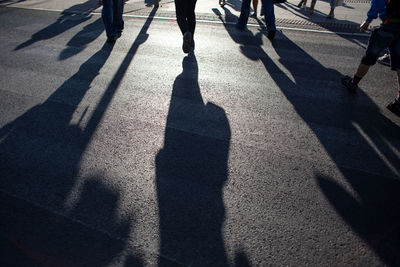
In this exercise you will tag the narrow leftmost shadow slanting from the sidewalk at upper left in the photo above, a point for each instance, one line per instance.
(68, 20)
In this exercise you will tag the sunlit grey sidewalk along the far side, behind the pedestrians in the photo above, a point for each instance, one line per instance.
(347, 17)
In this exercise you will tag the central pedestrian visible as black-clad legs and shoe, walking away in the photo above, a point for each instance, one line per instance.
(186, 19)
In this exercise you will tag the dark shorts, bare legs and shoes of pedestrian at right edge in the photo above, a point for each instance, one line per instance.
(386, 36)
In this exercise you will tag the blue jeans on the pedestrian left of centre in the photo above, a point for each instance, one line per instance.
(112, 17)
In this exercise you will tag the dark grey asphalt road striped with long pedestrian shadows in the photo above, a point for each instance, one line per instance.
(244, 153)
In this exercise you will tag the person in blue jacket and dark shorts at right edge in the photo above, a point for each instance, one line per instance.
(387, 35)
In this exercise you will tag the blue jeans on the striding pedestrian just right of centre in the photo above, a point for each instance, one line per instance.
(269, 14)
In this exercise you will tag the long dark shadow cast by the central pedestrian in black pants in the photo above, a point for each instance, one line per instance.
(191, 170)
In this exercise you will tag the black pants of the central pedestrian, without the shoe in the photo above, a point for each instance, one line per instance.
(185, 15)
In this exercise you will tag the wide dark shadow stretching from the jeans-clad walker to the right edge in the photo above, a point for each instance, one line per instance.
(365, 156)
